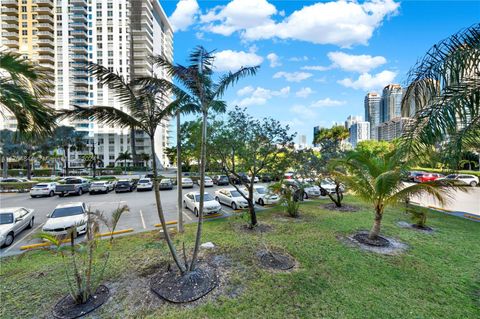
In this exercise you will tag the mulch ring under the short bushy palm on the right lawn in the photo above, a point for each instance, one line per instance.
(381, 245)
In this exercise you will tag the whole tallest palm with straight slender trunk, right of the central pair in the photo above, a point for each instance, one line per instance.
(204, 94)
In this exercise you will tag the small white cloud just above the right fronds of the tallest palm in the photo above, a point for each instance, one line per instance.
(229, 60)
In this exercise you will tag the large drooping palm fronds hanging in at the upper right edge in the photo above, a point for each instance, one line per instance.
(444, 95)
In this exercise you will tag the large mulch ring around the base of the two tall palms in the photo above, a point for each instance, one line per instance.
(174, 287)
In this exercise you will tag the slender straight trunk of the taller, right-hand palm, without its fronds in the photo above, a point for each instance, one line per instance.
(203, 157)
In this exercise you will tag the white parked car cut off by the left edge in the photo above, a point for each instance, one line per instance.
(14, 220)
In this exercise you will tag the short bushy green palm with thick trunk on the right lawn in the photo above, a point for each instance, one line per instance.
(378, 180)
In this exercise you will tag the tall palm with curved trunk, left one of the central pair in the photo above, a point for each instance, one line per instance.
(144, 100)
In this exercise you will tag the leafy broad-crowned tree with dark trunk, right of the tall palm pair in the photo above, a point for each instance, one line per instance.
(246, 145)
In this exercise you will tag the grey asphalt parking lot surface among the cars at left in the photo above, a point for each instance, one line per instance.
(141, 217)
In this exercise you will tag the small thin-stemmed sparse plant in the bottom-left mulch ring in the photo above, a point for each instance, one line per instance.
(83, 265)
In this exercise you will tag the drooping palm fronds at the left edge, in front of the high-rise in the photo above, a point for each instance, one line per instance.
(22, 85)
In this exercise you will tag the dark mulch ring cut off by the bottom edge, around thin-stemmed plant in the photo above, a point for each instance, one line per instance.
(66, 308)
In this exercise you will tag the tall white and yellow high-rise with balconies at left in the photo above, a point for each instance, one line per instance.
(63, 36)
